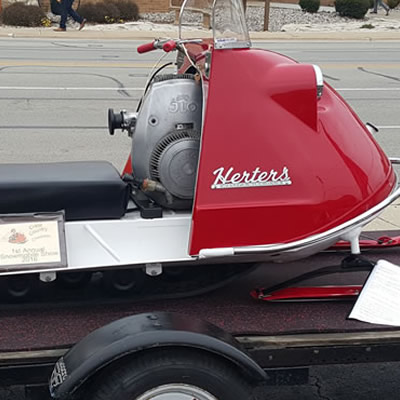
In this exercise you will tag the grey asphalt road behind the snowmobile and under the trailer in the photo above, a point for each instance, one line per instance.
(54, 96)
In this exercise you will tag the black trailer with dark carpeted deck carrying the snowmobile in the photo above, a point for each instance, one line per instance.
(177, 347)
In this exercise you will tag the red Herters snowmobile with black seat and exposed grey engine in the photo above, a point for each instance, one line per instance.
(239, 155)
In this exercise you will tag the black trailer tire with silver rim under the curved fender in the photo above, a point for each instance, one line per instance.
(173, 374)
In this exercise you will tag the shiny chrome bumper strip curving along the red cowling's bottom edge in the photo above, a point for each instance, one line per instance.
(313, 240)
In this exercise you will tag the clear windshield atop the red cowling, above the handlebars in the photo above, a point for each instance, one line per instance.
(224, 18)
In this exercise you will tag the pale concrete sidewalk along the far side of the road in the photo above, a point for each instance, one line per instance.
(382, 27)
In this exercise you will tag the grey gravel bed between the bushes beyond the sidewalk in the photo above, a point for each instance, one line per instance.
(255, 18)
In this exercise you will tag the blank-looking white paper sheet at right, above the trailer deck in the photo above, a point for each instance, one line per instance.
(379, 300)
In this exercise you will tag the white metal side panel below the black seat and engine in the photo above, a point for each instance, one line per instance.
(129, 241)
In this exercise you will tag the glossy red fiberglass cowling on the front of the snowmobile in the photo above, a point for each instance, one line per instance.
(276, 164)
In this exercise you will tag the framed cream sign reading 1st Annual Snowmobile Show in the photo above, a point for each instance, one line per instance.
(24, 243)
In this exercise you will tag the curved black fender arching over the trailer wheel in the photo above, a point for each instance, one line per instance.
(139, 333)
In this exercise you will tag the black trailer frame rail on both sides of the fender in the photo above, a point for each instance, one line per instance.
(285, 358)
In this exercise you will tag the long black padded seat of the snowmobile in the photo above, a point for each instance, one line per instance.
(85, 190)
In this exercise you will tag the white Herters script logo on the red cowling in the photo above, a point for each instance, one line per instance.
(230, 179)
